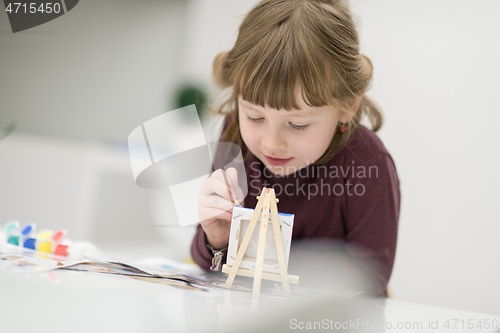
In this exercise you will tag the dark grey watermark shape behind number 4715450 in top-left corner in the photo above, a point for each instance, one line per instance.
(24, 15)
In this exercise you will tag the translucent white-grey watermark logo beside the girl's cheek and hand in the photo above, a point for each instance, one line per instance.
(170, 152)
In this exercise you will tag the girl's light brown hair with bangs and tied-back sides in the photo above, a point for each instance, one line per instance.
(287, 44)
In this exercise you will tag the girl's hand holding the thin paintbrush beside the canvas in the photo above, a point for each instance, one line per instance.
(215, 207)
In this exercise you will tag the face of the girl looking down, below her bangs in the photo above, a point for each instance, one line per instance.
(286, 141)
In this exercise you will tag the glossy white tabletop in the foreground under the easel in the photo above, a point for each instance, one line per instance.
(68, 301)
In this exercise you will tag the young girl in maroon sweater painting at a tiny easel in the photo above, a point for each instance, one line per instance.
(298, 95)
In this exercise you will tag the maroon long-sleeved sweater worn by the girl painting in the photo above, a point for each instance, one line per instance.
(354, 198)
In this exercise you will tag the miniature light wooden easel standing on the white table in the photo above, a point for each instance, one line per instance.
(267, 203)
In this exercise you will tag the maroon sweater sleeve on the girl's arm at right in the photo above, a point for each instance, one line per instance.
(371, 218)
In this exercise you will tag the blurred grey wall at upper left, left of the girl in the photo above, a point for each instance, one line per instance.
(96, 72)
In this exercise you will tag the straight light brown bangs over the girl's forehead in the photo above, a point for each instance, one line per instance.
(281, 65)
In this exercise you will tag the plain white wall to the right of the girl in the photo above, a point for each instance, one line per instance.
(436, 76)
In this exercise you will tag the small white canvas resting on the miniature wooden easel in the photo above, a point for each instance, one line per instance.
(239, 224)
